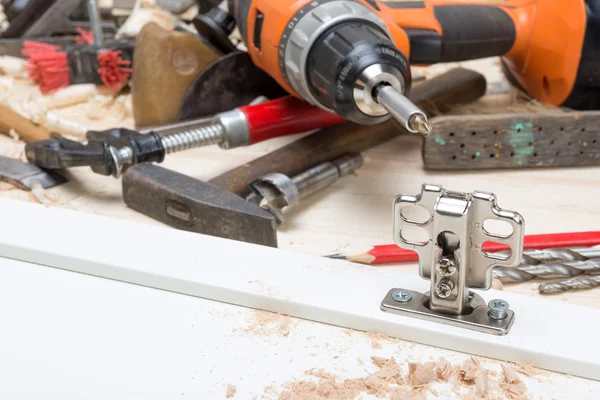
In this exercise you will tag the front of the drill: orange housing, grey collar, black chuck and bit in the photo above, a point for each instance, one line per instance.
(334, 54)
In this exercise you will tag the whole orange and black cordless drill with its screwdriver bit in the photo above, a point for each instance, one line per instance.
(352, 57)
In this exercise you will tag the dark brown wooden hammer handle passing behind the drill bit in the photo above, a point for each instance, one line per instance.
(459, 86)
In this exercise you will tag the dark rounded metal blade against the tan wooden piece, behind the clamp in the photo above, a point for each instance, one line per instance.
(231, 81)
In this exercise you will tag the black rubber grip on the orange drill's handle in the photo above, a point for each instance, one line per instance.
(471, 32)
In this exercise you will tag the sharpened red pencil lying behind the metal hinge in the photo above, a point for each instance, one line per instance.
(390, 253)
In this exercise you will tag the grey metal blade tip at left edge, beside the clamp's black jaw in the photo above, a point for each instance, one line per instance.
(26, 176)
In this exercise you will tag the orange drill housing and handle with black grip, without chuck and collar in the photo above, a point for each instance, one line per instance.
(541, 41)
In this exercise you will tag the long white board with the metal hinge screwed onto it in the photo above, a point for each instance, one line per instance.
(549, 335)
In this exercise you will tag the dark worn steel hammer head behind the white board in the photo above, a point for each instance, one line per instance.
(192, 205)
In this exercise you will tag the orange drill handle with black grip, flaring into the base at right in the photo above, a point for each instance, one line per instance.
(548, 45)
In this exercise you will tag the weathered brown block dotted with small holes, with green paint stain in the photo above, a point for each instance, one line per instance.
(513, 141)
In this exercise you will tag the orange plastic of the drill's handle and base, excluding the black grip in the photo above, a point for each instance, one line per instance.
(545, 56)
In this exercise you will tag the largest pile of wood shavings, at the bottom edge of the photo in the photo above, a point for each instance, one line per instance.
(470, 381)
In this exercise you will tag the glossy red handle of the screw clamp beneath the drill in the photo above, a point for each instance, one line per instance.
(286, 116)
